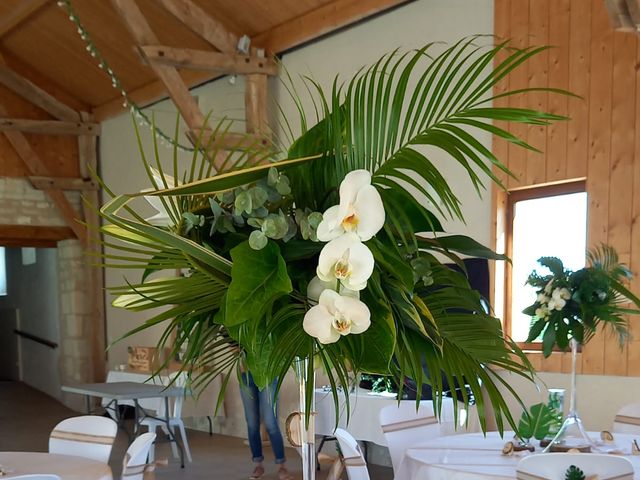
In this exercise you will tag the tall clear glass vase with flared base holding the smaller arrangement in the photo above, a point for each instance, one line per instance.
(572, 433)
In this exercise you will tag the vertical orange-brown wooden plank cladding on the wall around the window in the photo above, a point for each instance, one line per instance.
(601, 142)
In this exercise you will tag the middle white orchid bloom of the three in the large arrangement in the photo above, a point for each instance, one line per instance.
(347, 260)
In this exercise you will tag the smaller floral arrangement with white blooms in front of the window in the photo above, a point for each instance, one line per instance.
(572, 304)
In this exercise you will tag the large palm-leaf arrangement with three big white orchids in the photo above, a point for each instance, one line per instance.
(327, 245)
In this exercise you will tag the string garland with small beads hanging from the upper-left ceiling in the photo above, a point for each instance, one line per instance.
(127, 101)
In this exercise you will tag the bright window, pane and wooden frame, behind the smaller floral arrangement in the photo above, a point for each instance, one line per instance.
(541, 221)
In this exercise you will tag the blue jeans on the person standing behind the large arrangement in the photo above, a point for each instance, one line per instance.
(261, 405)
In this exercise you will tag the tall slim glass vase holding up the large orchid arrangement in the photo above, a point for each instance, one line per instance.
(307, 431)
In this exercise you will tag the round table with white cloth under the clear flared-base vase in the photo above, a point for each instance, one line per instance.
(471, 456)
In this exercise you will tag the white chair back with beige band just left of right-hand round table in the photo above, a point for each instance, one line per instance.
(404, 426)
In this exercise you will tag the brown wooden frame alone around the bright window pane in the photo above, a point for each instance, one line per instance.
(514, 196)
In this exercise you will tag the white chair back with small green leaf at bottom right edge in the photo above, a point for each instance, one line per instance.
(551, 466)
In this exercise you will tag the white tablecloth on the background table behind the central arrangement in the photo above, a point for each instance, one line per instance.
(364, 421)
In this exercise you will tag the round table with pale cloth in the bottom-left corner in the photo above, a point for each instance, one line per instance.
(67, 467)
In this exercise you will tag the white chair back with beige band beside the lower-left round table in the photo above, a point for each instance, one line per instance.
(87, 436)
